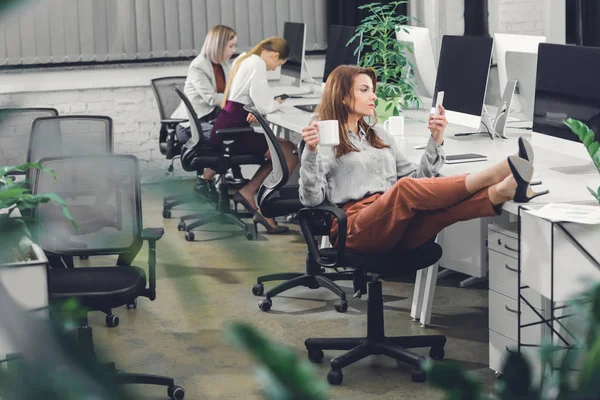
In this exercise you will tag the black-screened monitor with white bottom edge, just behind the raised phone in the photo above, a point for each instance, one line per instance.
(463, 74)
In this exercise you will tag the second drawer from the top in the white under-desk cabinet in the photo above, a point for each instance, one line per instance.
(503, 279)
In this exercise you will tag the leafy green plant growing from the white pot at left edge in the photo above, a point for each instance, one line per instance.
(16, 196)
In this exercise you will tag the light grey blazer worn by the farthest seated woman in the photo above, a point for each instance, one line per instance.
(201, 88)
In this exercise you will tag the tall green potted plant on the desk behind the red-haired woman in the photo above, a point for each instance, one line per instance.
(381, 51)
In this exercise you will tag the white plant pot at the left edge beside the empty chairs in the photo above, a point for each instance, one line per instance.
(27, 284)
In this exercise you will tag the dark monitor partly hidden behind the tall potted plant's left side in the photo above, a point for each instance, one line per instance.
(338, 53)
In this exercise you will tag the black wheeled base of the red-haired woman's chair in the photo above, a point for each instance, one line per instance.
(376, 343)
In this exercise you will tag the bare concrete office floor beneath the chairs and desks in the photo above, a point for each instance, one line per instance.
(204, 285)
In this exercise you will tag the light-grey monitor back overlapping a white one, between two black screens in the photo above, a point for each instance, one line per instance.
(522, 67)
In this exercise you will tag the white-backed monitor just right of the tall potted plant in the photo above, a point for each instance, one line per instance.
(421, 58)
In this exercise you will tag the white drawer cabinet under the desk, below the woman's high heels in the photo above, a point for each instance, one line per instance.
(503, 293)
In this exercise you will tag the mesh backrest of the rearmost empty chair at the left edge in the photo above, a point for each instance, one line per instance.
(15, 129)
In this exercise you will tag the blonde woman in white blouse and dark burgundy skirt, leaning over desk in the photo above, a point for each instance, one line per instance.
(248, 85)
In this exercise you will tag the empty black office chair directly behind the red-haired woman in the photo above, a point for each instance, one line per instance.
(278, 196)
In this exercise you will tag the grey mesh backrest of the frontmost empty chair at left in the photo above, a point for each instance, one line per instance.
(102, 194)
